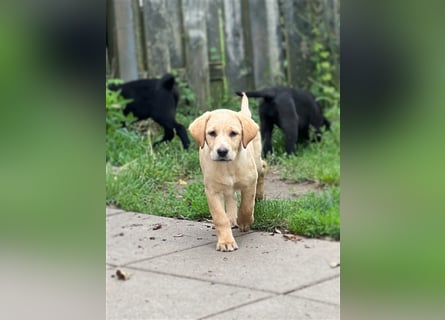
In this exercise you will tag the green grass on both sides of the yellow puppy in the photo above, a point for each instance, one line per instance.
(167, 180)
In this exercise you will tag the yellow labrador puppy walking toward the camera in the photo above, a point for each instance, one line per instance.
(230, 159)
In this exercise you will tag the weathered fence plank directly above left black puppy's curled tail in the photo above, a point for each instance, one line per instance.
(157, 33)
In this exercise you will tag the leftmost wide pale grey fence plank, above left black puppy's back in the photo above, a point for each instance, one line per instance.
(123, 17)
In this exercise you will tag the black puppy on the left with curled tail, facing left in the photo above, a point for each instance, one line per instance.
(156, 99)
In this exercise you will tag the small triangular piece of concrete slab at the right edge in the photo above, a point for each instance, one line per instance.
(328, 291)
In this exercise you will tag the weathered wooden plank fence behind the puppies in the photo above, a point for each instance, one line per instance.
(220, 46)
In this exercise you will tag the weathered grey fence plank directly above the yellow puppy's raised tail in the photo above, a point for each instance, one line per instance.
(236, 64)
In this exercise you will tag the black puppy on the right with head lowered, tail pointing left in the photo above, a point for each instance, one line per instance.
(294, 111)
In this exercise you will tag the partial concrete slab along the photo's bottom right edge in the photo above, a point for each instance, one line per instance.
(282, 307)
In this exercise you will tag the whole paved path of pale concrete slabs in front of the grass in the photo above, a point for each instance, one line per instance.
(176, 273)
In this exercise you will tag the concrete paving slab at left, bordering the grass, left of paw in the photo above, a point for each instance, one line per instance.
(130, 236)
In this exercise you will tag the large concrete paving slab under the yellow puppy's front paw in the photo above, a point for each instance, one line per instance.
(263, 262)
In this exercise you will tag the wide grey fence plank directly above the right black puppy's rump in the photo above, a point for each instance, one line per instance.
(265, 42)
